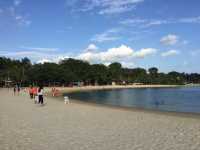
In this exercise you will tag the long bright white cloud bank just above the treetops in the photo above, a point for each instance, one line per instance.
(123, 54)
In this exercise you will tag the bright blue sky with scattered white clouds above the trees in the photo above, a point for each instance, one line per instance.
(136, 33)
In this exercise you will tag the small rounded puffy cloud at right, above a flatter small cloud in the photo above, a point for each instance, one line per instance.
(170, 39)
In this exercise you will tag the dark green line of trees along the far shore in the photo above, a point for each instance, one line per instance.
(71, 71)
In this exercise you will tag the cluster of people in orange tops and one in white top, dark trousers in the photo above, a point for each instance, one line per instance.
(36, 93)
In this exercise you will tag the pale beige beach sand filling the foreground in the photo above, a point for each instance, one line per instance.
(78, 126)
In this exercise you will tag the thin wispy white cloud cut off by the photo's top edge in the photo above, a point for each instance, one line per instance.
(104, 6)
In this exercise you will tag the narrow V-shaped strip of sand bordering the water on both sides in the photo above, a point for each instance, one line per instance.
(126, 108)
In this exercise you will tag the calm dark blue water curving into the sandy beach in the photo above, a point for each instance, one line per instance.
(181, 99)
